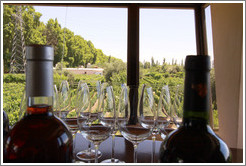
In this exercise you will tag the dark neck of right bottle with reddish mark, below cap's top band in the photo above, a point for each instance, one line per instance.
(196, 98)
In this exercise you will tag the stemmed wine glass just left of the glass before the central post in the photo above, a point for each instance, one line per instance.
(109, 117)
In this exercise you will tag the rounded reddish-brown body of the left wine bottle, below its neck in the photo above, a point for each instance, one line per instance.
(39, 138)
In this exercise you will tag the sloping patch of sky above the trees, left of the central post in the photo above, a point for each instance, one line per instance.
(106, 28)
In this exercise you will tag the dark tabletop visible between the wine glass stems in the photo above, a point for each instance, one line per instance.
(124, 150)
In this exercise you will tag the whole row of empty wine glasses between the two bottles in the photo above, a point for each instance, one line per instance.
(95, 113)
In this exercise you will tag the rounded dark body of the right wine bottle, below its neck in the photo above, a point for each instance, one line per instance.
(191, 145)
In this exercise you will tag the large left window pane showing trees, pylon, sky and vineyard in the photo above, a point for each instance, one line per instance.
(88, 39)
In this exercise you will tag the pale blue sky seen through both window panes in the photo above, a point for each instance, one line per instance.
(164, 33)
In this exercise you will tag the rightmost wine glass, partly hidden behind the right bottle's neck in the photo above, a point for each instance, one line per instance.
(178, 105)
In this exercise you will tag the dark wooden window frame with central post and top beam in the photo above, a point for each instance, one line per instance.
(133, 35)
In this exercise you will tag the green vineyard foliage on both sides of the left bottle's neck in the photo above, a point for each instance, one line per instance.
(14, 85)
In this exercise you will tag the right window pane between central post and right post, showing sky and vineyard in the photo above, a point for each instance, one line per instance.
(167, 36)
